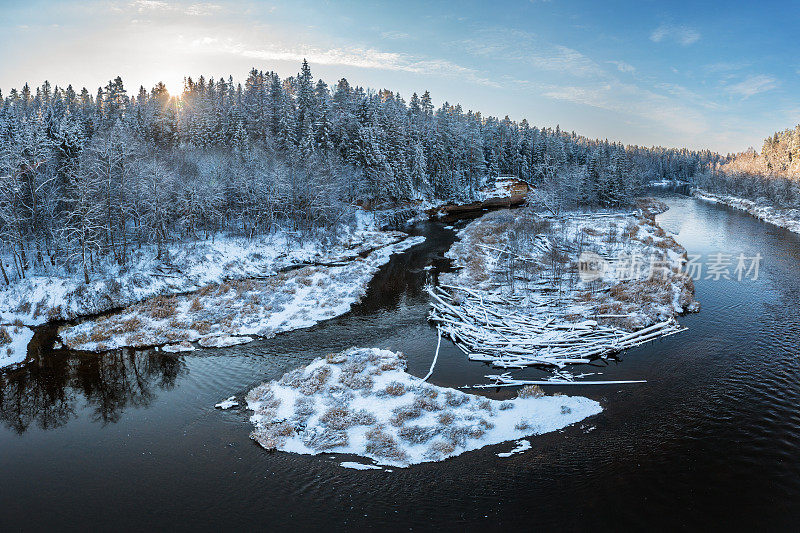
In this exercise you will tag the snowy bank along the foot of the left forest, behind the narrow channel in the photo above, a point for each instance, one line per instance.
(190, 266)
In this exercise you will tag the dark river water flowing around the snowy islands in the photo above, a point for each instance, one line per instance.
(131, 440)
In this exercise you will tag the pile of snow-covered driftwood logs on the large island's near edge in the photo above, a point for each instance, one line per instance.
(494, 330)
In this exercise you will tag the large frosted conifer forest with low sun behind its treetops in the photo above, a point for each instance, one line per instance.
(85, 178)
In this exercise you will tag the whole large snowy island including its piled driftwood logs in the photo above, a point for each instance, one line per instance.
(521, 294)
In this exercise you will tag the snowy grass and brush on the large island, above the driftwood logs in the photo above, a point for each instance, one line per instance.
(533, 260)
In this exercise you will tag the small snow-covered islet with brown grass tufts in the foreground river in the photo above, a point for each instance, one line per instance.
(363, 402)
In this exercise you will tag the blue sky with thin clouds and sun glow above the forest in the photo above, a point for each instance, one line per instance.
(718, 75)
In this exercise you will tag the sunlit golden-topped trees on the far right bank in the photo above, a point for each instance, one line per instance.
(773, 174)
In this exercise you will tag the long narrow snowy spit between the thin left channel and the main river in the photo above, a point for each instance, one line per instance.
(228, 313)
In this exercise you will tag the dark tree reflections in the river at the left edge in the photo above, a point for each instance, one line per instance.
(51, 389)
